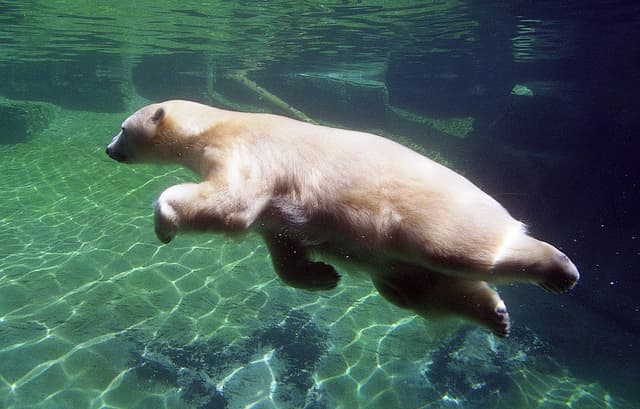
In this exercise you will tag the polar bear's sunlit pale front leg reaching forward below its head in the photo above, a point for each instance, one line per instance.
(202, 207)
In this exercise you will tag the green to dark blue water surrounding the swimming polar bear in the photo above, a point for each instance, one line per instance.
(535, 102)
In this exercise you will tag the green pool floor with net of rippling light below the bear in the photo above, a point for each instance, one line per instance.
(94, 313)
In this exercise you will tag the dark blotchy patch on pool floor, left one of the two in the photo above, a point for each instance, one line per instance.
(211, 374)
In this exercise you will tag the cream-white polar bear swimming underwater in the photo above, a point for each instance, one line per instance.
(429, 239)
